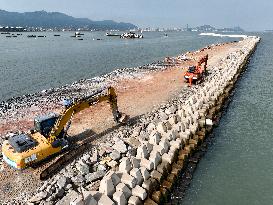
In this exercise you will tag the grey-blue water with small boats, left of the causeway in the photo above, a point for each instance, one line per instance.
(32, 64)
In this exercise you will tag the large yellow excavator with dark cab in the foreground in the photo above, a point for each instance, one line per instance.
(49, 134)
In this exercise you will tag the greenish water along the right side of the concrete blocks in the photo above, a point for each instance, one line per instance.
(237, 168)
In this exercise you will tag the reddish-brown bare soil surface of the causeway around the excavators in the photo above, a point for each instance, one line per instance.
(137, 96)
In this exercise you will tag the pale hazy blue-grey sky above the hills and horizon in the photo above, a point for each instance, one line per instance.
(249, 14)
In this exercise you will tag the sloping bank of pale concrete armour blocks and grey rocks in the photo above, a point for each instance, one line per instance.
(144, 168)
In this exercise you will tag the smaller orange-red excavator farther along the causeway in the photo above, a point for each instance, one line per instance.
(196, 73)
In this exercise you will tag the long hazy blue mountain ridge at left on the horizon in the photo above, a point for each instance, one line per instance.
(59, 20)
